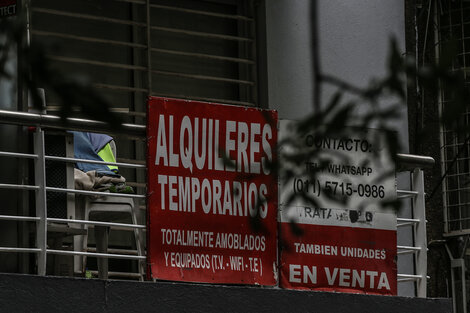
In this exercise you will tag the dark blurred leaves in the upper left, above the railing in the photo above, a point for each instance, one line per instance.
(35, 71)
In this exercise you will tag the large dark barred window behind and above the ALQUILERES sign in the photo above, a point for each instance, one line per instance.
(129, 49)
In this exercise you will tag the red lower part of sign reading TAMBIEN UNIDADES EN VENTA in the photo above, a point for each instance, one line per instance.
(341, 259)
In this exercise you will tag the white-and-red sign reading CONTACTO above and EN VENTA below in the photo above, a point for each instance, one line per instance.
(344, 240)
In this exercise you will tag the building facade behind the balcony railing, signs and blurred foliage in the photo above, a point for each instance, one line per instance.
(237, 52)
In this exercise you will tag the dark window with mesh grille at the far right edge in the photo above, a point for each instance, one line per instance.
(454, 24)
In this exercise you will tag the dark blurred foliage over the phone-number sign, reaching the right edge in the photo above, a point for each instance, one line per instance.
(379, 105)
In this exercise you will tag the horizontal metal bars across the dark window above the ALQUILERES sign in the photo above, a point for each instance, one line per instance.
(146, 18)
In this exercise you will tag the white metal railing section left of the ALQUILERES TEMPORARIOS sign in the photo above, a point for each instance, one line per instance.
(40, 188)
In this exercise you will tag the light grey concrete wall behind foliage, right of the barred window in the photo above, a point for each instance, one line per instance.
(354, 46)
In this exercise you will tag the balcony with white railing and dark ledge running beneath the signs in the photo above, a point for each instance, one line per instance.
(44, 250)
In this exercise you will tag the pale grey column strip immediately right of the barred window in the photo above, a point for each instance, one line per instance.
(289, 57)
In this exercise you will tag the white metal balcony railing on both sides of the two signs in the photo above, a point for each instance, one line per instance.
(410, 163)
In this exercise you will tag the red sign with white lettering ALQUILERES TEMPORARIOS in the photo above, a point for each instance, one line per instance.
(212, 197)
